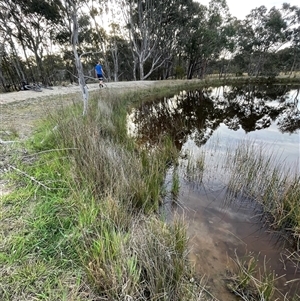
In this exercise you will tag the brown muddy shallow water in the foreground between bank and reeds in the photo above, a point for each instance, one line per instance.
(220, 230)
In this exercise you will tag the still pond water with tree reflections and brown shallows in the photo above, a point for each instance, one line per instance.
(213, 121)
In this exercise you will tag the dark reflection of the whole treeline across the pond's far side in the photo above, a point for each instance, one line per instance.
(200, 113)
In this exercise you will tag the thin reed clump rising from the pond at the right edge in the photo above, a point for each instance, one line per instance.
(269, 182)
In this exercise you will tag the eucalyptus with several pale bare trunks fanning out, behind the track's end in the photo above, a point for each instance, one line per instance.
(152, 26)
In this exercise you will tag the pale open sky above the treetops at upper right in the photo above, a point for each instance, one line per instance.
(241, 8)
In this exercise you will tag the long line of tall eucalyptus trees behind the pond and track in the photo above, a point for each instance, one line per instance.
(153, 40)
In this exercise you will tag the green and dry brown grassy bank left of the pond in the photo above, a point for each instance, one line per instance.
(82, 223)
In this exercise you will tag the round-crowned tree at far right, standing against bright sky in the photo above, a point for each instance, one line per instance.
(264, 32)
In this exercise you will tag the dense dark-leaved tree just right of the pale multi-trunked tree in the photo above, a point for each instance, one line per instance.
(208, 32)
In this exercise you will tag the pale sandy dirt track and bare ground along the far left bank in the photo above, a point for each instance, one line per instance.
(19, 110)
